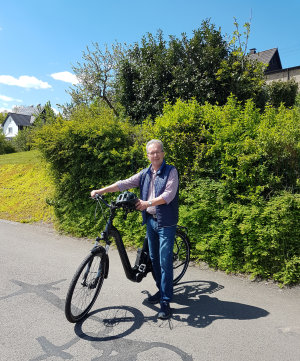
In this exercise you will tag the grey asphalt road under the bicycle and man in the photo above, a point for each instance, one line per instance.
(216, 317)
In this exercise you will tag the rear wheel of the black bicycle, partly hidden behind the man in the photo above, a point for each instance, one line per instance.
(181, 255)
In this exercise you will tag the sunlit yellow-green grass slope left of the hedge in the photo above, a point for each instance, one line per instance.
(25, 185)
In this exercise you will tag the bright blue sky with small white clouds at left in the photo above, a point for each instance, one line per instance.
(41, 39)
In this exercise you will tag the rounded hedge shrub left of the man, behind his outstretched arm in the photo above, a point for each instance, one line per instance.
(85, 155)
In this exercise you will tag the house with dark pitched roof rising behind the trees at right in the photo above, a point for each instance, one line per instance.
(274, 71)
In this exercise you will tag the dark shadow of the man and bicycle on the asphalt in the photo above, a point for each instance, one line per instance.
(193, 306)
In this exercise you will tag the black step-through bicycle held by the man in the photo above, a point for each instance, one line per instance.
(87, 281)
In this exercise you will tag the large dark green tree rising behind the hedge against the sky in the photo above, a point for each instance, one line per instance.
(157, 70)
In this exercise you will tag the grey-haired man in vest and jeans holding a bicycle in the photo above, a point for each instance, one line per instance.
(159, 205)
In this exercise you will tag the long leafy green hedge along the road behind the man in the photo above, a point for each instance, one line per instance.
(239, 174)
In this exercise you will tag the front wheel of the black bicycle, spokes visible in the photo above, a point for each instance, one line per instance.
(85, 286)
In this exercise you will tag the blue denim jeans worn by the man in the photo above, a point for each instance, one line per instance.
(161, 243)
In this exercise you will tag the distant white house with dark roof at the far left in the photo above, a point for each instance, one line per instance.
(22, 118)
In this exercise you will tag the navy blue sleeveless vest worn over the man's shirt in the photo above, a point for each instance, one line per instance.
(167, 214)
